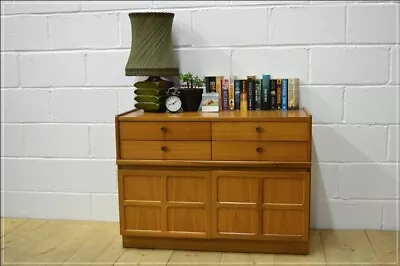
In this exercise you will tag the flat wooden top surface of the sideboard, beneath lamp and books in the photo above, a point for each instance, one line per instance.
(270, 115)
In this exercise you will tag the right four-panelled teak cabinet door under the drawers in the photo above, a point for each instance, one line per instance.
(260, 205)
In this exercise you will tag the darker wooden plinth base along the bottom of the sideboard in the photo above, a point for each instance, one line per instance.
(222, 245)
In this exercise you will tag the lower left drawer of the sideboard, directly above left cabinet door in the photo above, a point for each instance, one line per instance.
(166, 150)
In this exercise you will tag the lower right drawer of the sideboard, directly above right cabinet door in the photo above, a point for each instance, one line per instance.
(260, 151)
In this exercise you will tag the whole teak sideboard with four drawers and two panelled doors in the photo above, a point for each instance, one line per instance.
(227, 181)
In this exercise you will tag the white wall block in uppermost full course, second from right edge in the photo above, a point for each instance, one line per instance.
(297, 25)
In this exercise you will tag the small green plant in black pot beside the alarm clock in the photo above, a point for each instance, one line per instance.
(191, 91)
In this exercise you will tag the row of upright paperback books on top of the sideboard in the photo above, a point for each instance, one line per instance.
(254, 93)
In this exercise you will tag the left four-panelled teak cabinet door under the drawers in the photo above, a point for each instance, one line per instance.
(165, 203)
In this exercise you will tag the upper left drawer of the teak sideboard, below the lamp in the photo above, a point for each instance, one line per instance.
(165, 131)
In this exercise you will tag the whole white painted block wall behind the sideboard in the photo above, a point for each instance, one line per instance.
(63, 81)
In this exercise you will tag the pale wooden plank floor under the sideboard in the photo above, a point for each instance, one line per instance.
(52, 242)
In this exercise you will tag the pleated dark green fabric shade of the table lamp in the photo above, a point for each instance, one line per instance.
(151, 52)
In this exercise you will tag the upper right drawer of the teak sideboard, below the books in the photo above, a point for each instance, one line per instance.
(284, 131)
